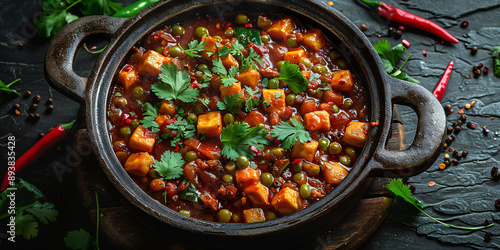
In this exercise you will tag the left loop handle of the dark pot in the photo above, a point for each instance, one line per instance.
(63, 48)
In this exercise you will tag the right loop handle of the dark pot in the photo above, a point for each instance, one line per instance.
(431, 129)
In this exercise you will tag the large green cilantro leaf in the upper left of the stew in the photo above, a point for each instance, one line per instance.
(174, 85)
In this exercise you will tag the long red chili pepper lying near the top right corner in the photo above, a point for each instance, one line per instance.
(400, 16)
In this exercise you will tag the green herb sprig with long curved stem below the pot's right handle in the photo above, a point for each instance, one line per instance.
(399, 189)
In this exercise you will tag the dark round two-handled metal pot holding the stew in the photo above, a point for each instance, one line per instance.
(375, 159)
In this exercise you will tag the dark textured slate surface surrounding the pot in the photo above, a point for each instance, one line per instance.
(463, 194)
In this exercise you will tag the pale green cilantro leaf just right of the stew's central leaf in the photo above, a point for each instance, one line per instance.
(289, 134)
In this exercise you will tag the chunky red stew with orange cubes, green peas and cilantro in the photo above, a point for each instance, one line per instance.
(237, 120)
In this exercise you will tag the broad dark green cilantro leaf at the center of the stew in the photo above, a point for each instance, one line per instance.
(237, 138)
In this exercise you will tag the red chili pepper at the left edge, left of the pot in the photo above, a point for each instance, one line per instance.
(48, 141)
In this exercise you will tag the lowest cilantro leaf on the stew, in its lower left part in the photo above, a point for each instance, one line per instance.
(170, 166)
